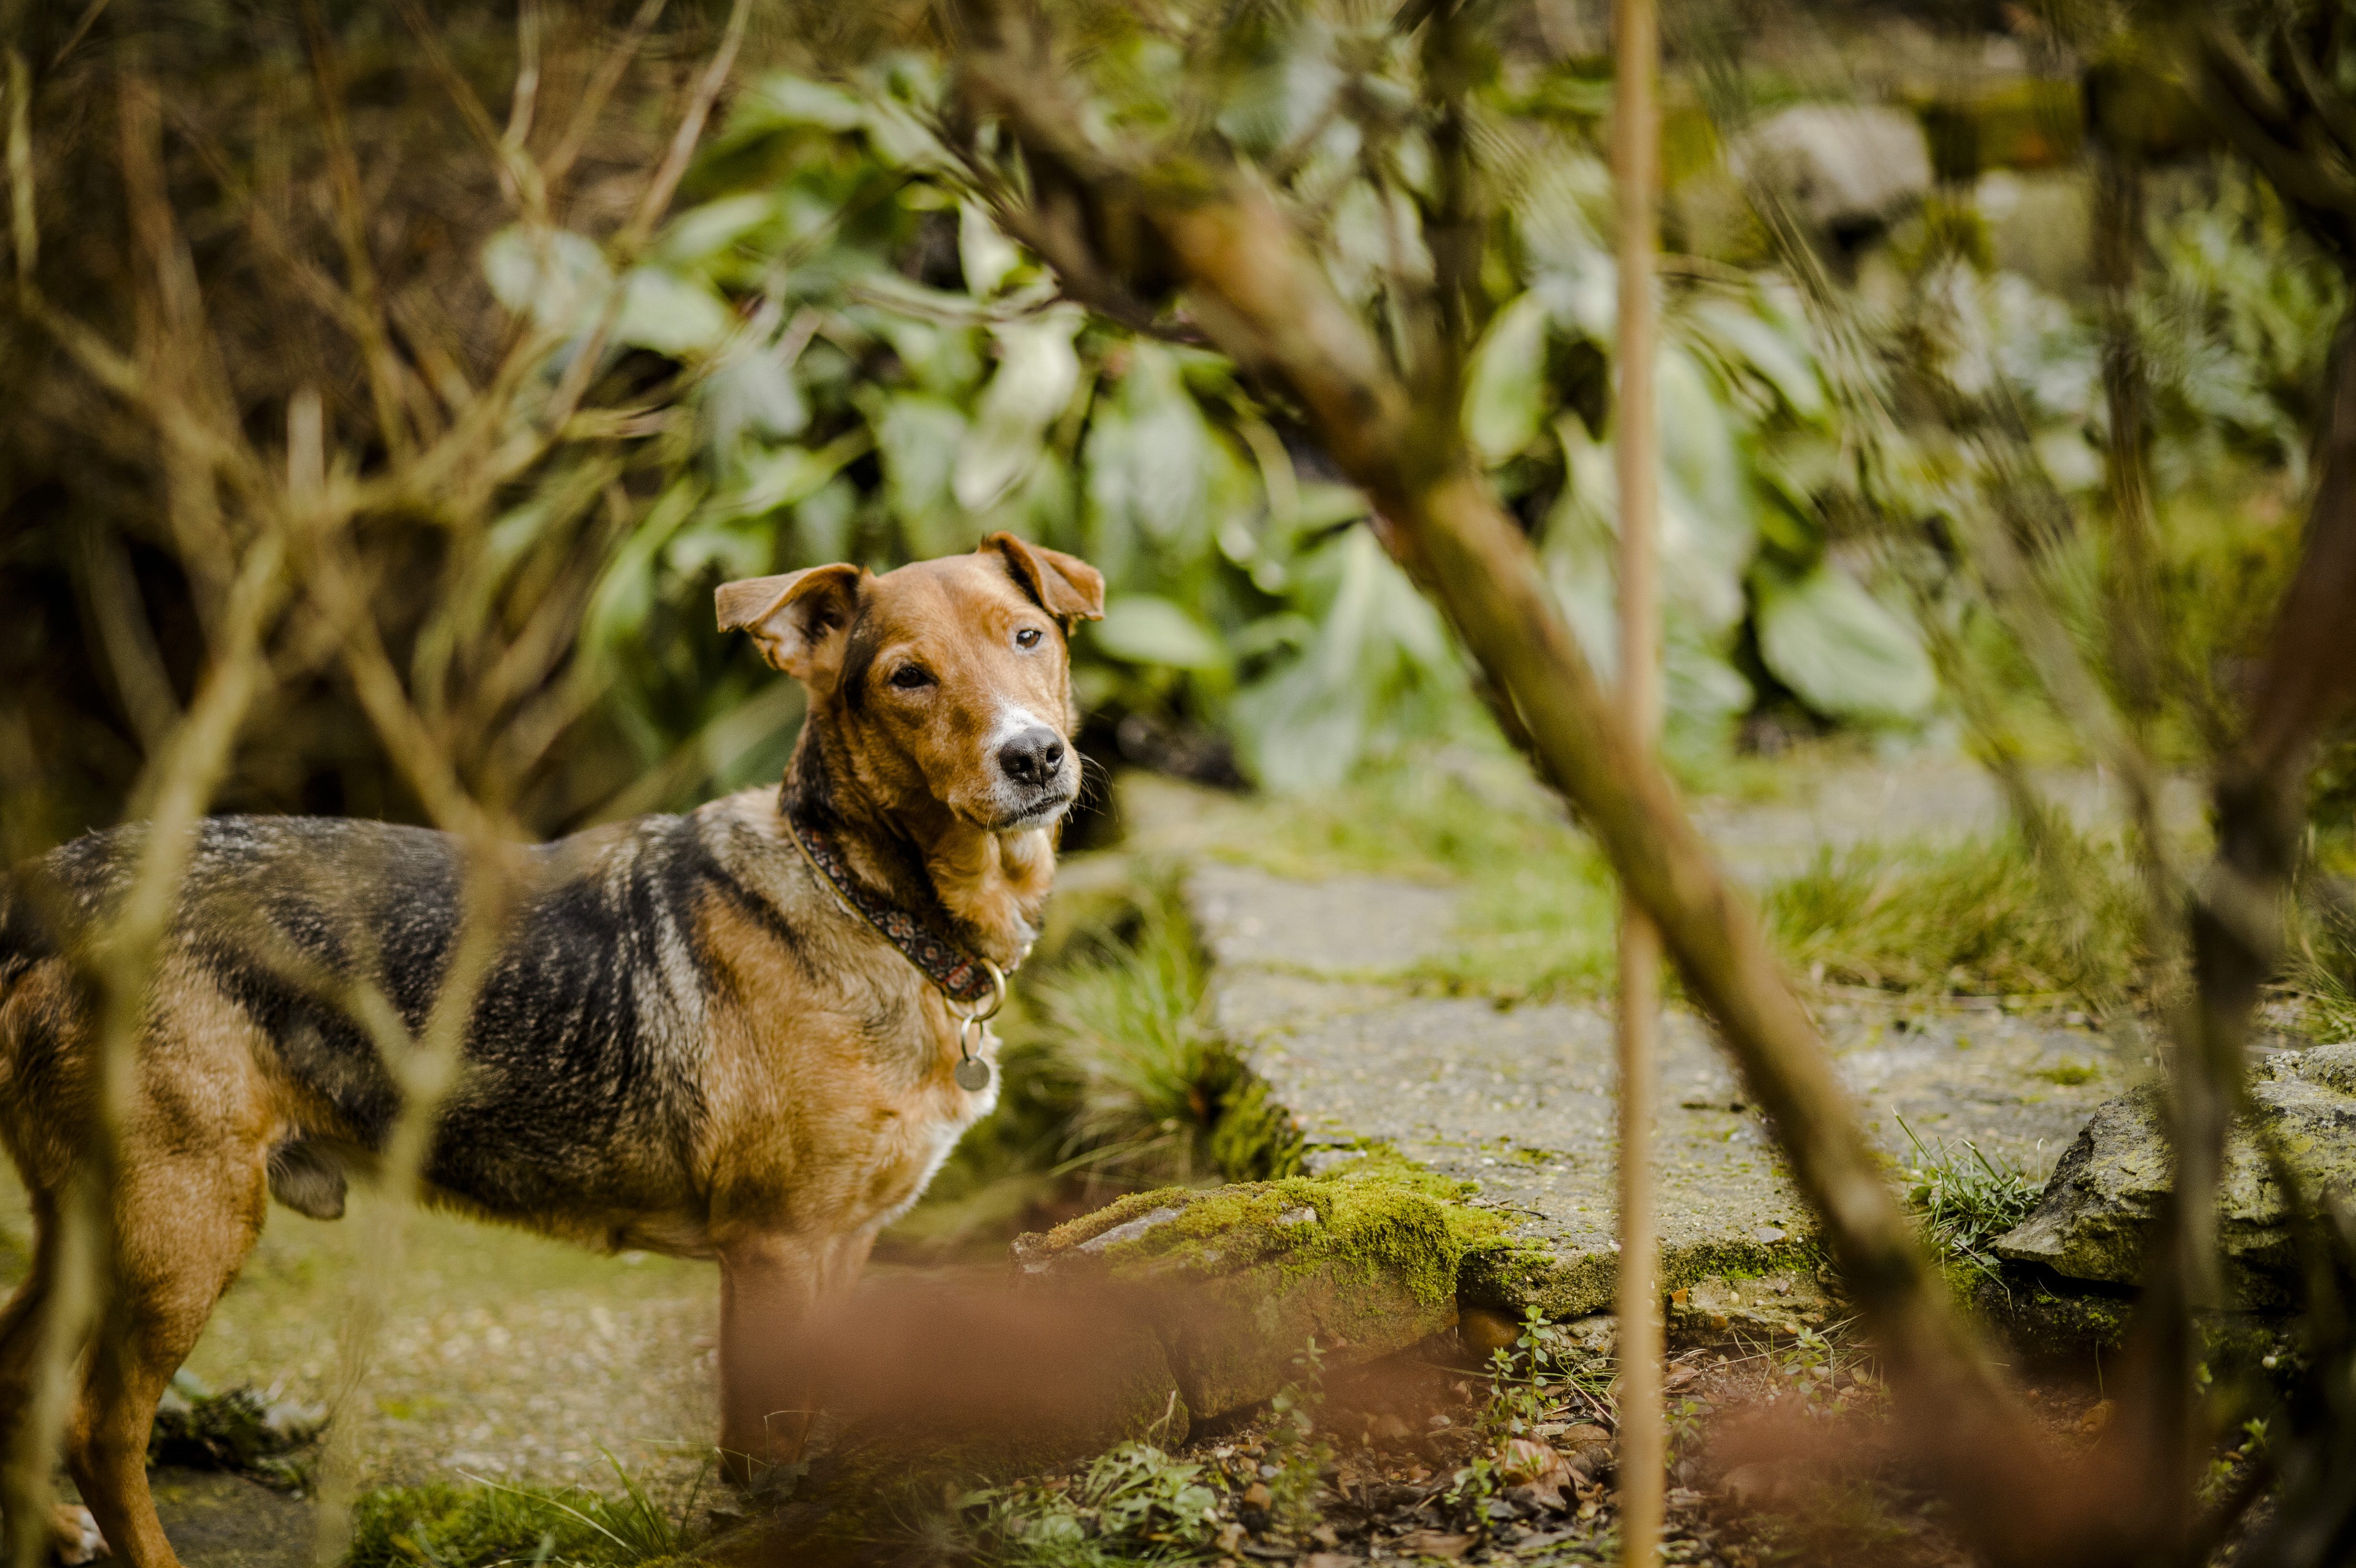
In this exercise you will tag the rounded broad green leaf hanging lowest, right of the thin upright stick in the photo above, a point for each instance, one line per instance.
(1839, 649)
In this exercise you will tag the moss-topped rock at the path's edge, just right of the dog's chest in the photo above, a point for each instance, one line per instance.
(1240, 1280)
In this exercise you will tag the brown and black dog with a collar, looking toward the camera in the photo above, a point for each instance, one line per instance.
(703, 1035)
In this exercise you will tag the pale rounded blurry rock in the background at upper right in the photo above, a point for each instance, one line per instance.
(1844, 168)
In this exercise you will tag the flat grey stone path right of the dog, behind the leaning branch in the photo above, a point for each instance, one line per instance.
(1311, 983)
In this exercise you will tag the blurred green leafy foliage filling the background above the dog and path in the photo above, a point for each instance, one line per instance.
(828, 352)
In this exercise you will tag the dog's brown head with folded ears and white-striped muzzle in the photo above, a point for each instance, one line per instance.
(948, 679)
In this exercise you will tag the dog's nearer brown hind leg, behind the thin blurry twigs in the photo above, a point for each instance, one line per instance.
(185, 1225)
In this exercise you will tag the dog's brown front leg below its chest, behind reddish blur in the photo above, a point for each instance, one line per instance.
(769, 1294)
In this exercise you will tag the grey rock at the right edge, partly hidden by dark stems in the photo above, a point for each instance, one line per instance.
(2110, 1188)
